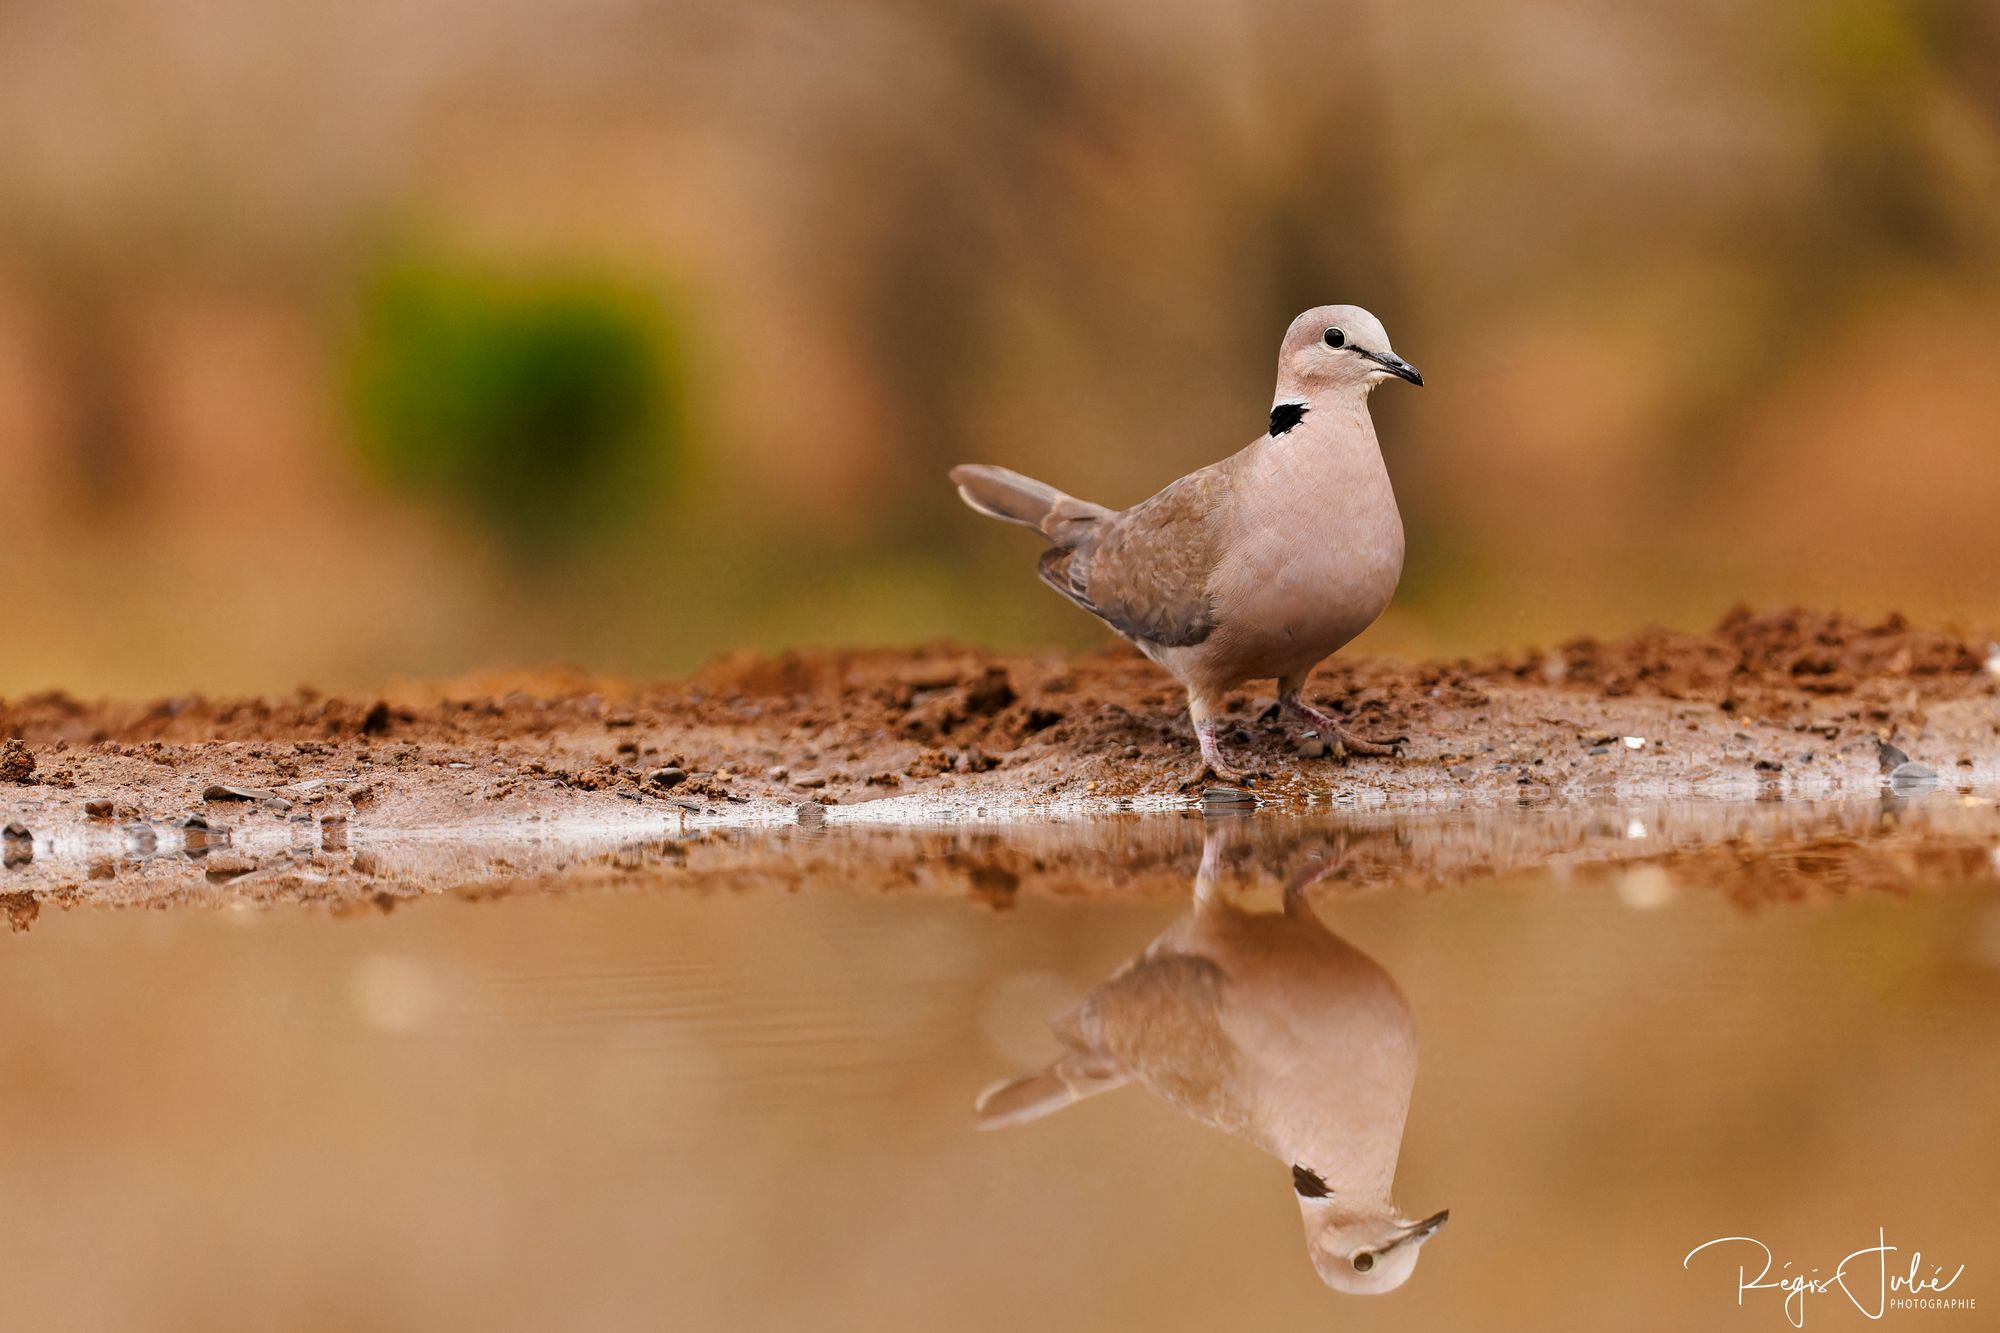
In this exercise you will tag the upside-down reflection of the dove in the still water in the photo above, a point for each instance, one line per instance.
(1275, 1030)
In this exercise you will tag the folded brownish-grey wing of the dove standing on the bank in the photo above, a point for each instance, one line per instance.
(1147, 571)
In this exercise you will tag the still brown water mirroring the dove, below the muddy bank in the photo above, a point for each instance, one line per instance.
(1449, 1072)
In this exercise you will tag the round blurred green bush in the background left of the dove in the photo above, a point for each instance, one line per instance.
(539, 405)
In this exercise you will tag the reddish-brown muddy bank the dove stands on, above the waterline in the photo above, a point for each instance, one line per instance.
(1789, 702)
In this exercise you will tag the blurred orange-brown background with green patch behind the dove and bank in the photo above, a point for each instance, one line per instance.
(403, 337)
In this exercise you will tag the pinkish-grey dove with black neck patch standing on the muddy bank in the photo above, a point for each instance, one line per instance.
(1257, 567)
